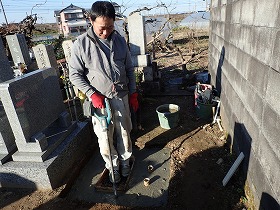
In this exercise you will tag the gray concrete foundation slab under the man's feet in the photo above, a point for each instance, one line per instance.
(137, 194)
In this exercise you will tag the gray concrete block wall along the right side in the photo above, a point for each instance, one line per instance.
(244, 62)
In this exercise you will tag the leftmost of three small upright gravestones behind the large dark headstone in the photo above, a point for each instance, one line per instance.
(19, 49)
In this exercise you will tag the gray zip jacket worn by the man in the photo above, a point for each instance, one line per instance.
(90, 70)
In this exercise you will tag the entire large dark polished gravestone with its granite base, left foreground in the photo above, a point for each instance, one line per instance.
(49, 144)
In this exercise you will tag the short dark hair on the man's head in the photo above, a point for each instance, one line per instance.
(102, 9)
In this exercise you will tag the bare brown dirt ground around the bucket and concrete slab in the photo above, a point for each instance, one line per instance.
(200, 153)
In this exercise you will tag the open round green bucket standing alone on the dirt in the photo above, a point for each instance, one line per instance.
(168, 115)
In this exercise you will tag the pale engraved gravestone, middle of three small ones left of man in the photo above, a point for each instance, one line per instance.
(45, 56)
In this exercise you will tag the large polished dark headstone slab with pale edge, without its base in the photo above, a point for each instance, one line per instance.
(32, 103)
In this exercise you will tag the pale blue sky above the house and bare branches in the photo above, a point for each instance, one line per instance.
(16, 10)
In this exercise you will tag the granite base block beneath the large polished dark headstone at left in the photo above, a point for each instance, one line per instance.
(57, 168)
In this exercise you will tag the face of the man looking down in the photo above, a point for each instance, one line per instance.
(103, 26)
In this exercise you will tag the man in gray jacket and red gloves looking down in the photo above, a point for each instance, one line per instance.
(101, 67)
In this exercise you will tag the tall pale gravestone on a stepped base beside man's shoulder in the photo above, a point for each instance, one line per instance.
(137, 42)
